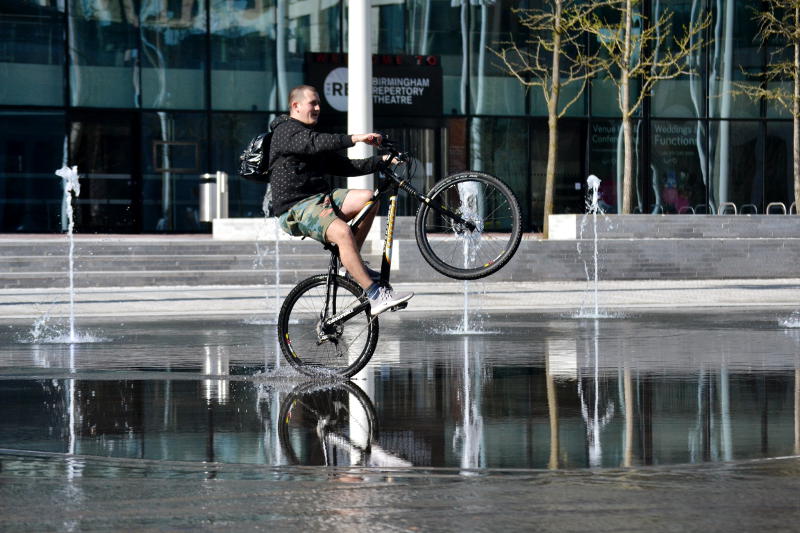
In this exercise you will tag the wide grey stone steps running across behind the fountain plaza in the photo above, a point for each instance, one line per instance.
(145, 263)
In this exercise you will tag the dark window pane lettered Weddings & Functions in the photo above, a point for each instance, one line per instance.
(677, 167)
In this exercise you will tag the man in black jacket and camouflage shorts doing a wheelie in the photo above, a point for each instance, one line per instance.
(300, 160)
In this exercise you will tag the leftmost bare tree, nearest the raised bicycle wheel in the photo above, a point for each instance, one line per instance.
(552, 57)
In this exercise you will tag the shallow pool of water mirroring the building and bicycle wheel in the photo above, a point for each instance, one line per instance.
(545, 393)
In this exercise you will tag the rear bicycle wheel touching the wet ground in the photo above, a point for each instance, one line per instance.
(314, 349)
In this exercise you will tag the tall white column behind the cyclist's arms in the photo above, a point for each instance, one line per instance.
(359, 84)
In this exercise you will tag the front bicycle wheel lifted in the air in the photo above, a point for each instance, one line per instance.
(455, 250)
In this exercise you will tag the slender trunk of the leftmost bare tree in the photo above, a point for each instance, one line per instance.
(552, 121)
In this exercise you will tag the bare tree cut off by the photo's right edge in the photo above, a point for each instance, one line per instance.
(779, 25)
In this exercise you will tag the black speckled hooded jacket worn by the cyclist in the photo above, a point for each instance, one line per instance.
(301, 159)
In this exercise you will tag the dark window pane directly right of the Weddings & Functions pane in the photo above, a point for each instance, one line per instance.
(737, 164)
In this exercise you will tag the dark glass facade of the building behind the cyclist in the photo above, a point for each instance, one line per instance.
(147, 95)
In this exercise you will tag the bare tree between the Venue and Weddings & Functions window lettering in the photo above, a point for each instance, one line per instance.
(642, 56)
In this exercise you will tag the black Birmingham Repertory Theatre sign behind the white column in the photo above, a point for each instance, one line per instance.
(401, 84)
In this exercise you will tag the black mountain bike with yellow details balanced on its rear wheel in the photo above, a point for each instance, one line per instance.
(467, 227)
